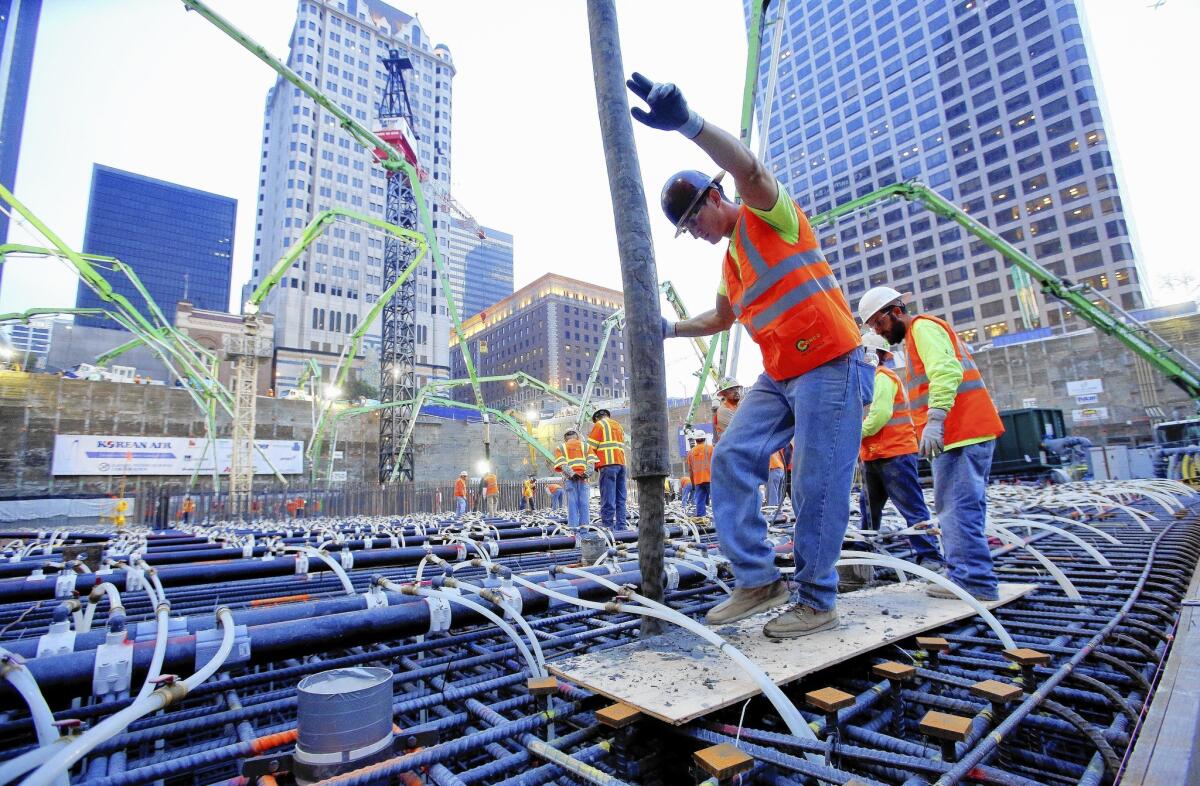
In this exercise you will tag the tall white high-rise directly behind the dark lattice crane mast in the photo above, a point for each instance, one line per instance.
(310, 165)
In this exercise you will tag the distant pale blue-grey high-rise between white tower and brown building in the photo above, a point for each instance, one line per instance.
(481, 260)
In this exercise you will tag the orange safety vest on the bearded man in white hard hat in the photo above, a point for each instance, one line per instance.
(974, 413)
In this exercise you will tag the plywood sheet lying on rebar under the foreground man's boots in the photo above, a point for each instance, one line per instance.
(677, 677)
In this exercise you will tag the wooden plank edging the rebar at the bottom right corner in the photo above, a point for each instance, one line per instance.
(1168, 747)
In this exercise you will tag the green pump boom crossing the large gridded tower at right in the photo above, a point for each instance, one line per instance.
(1108, 319)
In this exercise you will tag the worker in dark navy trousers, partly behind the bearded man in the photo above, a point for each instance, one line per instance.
(890, 457)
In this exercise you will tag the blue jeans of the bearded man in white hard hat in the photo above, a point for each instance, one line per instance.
(961, 501)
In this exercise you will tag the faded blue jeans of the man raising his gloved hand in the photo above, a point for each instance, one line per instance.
(823, 411)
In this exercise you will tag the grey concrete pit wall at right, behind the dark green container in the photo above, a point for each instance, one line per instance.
(1041, 370)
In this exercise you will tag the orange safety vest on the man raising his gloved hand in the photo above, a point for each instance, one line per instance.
(788, 298)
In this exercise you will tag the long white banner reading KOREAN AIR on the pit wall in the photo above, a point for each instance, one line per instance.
(109, 455)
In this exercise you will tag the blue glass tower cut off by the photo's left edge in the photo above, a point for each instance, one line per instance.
(19, 33)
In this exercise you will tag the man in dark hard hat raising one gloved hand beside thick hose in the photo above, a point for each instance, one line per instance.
(778, 284)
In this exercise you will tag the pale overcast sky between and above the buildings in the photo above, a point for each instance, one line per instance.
(147, 87)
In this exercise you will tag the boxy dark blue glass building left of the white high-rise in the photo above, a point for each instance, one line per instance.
(178, 241)
